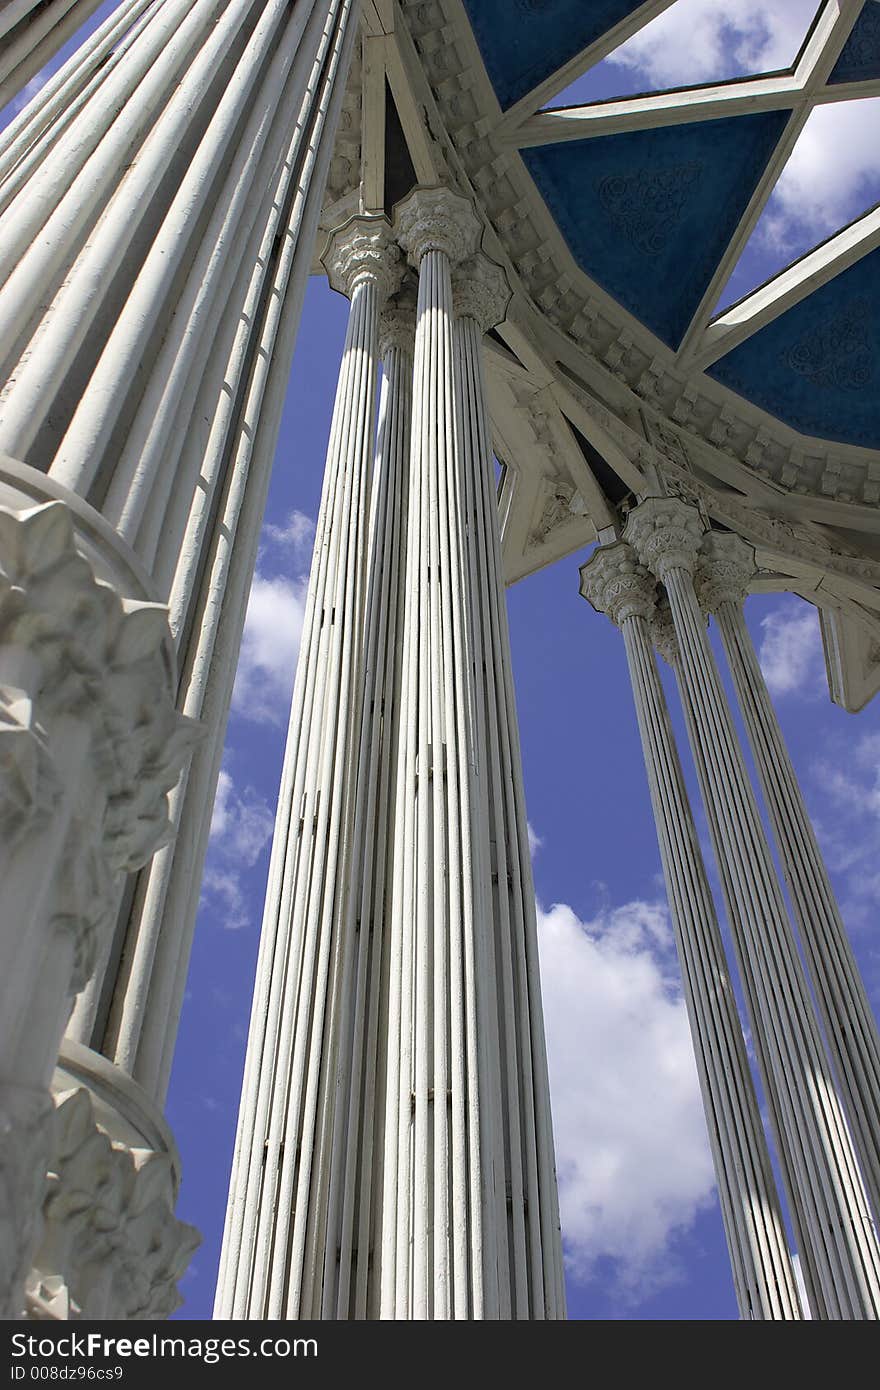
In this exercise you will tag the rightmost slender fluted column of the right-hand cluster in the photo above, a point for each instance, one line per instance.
(726, 566)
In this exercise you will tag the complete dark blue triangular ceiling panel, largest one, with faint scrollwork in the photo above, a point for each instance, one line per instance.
(650, 213)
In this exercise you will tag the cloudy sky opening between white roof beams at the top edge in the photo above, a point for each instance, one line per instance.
(694, 42)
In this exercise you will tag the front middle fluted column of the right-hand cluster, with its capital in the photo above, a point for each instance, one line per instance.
(667, 536)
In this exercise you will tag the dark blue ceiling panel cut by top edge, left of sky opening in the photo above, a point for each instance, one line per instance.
(523, 41)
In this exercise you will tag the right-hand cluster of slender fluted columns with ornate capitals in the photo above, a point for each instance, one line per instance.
(818, 1063)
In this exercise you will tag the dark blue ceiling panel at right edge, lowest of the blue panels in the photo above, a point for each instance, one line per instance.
(818, 365)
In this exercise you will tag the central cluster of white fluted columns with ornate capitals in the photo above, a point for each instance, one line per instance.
(394, 1154)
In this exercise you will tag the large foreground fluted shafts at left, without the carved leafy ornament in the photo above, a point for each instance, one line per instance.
(159, 205)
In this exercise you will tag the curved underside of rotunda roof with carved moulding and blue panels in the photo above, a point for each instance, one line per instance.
(621, 220)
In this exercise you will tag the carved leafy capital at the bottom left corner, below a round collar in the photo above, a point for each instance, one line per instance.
(112, 1246)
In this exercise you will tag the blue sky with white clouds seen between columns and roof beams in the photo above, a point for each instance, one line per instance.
(642, 1225)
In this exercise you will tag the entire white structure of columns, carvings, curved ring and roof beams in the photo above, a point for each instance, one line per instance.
(163, 199)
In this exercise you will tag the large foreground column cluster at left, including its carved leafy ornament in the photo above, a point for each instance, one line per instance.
(159, 205)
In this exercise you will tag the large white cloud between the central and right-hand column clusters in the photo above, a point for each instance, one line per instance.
(632, 1150)
